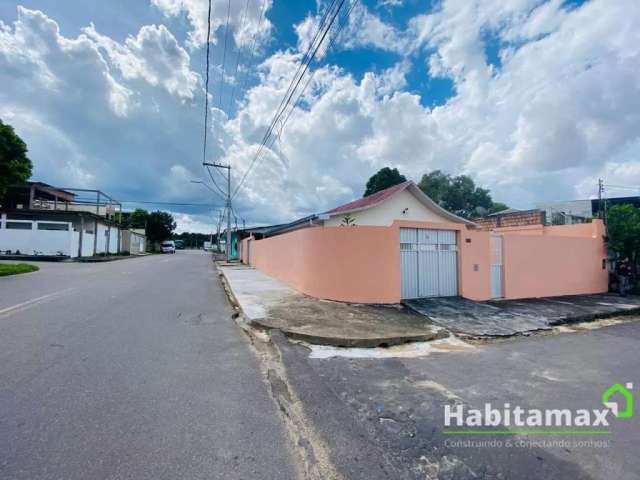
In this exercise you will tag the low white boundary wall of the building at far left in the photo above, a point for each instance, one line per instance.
(43, 242)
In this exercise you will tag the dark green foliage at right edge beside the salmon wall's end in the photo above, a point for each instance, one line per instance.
(623, 230)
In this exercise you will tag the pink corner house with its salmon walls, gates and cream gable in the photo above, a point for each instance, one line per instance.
(399, 244)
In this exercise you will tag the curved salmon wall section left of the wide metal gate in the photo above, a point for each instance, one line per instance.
(350, 264)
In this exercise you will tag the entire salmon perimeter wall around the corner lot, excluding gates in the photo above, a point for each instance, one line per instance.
(362, 264)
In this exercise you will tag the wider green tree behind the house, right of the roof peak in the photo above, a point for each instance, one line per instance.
(459, 195)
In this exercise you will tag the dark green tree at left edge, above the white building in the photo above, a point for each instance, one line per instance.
(15, 166)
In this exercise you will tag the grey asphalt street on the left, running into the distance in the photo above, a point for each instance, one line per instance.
(131, 369)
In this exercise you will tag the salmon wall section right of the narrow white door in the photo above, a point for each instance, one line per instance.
(547, 266)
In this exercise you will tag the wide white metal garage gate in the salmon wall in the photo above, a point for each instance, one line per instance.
(428, 263)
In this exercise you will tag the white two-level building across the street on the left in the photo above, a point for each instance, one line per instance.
(40, 219)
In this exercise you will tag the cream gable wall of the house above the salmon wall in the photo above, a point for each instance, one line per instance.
(391, 209)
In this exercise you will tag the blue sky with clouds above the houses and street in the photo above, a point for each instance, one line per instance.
(534, 99)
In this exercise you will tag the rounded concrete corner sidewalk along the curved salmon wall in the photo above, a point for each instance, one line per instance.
(269, 304)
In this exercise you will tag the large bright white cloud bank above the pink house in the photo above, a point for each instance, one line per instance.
(563, 103)
